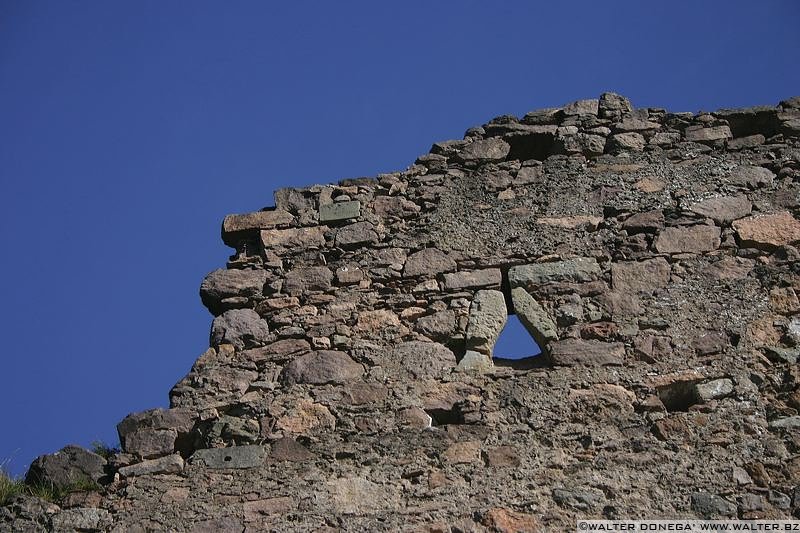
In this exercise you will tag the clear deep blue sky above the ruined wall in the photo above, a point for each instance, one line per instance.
(129, 129)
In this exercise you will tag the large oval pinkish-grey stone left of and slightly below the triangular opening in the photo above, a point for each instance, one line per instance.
(320, 367)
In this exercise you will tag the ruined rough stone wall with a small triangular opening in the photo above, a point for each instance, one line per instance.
(351, 385)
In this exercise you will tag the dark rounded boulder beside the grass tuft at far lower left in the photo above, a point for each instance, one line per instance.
(72, 464)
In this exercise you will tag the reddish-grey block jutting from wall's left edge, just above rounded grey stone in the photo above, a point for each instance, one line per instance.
(223, 284)
